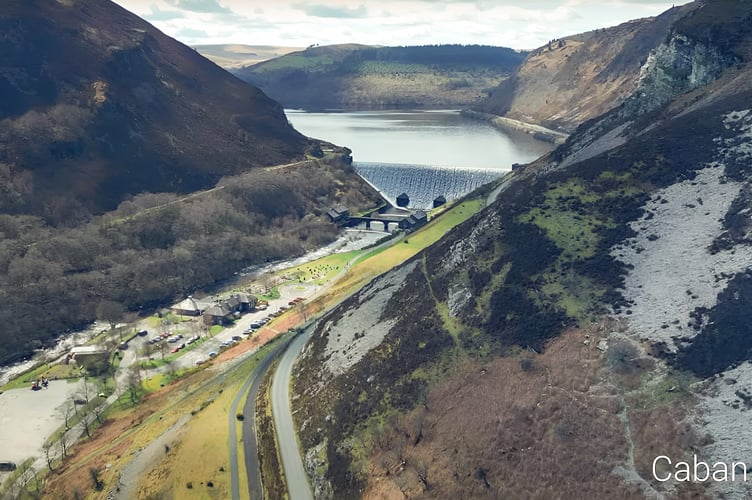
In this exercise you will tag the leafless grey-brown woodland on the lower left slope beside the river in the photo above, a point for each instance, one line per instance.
(156, 247)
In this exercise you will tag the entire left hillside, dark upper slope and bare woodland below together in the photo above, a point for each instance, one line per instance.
(133, 171)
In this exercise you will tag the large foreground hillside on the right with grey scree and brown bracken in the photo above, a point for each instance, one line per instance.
(593, 318)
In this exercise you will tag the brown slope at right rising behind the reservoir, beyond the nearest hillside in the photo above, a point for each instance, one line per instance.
(576, 78)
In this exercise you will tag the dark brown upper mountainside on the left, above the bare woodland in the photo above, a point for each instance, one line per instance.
(96, 104)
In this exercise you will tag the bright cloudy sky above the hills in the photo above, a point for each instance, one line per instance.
(520, 24)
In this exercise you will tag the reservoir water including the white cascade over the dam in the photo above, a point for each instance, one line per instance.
(423, 153)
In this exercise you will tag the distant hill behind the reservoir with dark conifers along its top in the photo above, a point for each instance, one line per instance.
(364, 77)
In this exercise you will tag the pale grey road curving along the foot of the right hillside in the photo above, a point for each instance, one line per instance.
(298, 486)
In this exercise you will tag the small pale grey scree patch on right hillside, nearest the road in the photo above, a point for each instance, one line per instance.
(359, 330)
